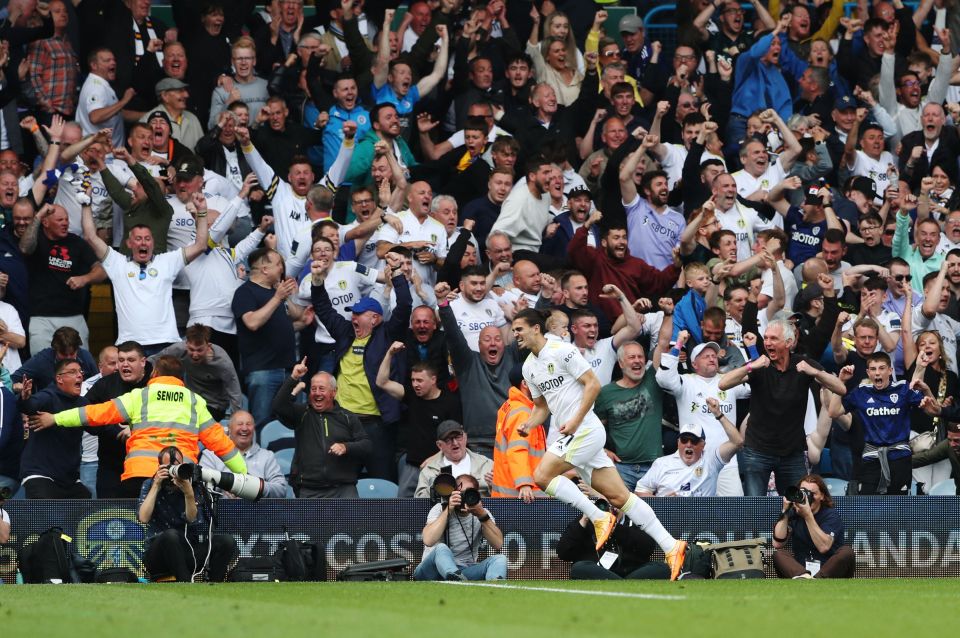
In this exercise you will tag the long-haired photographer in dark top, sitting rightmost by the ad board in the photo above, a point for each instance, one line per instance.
(817, 529)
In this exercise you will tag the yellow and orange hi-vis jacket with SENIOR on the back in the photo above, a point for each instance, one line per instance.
(162, 414)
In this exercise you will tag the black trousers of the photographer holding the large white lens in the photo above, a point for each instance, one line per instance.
(171, 553)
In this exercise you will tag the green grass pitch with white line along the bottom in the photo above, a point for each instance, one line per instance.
(521, 609)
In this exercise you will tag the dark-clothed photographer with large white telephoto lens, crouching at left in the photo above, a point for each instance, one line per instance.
(179, 516)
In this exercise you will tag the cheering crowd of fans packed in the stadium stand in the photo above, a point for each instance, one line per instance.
(736, 229)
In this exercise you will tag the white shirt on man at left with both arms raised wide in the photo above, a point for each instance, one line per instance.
(145, 305)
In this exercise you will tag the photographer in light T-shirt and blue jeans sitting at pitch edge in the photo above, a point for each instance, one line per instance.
(451, 538)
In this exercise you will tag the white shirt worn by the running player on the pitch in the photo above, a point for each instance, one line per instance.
(554, 374)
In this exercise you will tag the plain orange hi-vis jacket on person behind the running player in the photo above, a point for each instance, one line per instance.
(515, 457)
